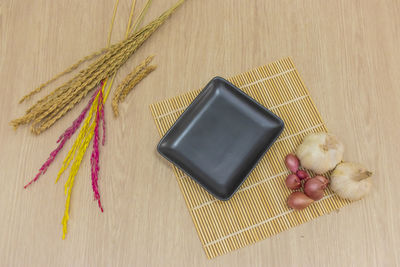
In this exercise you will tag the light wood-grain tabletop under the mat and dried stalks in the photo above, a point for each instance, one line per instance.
(347, 53)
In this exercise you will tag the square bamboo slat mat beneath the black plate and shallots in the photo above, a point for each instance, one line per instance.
(258, 209)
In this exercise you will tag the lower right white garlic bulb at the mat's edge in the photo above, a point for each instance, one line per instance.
(351, 180)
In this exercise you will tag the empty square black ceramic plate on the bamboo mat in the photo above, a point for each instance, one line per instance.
(220, 137)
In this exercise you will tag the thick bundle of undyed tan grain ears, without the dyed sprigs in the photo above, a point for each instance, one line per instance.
(49, 109)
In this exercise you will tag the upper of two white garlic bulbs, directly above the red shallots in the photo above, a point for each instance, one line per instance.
(320, 152)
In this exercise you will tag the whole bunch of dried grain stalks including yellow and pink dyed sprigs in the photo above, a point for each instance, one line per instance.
(100, 74)
